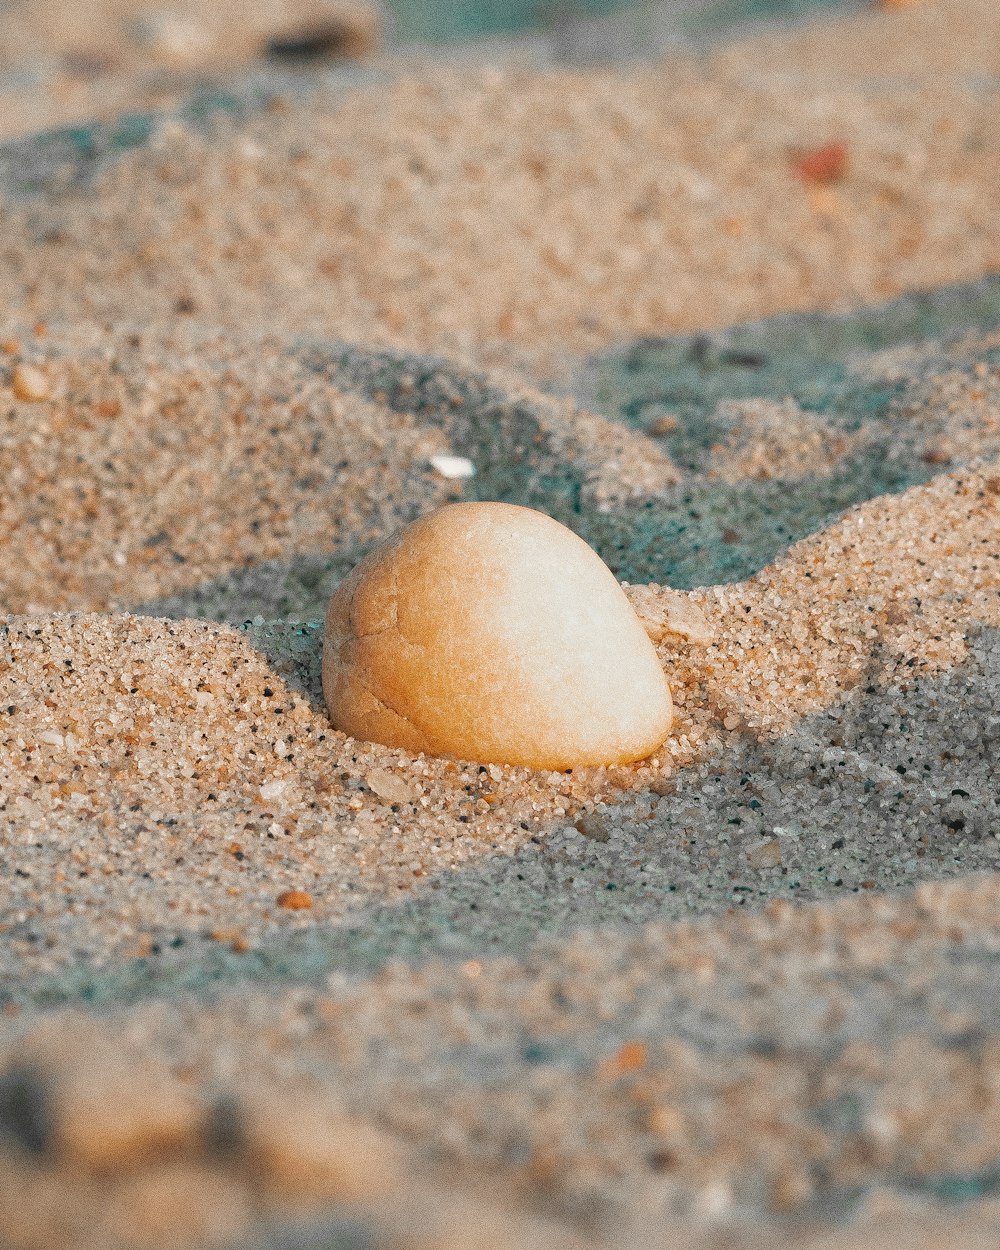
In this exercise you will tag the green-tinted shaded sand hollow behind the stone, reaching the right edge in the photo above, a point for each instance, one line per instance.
(782, 424)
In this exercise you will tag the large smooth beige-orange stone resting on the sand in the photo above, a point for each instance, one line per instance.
(493, 633)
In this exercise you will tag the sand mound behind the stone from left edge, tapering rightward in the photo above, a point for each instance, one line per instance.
(158, 464)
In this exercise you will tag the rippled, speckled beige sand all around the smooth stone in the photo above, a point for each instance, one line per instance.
(264, 986)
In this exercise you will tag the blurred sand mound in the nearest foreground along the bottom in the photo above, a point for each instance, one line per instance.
(619, 1086)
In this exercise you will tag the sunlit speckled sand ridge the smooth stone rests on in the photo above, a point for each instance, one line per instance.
(199, 746)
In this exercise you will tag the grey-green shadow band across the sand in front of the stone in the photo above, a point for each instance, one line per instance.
(881, 792)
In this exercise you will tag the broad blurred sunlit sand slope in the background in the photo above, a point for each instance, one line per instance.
(522, 217)
